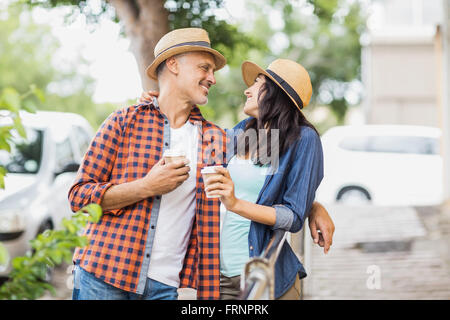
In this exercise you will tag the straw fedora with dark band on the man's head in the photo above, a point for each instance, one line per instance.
(183, 40)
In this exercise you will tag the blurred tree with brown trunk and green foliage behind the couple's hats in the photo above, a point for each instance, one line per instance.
(322, 35)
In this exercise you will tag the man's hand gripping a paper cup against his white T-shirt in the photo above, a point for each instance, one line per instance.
(164, 178)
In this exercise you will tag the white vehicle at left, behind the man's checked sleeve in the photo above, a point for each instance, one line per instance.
(41, 169)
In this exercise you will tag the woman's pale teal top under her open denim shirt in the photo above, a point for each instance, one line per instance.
(248, 180)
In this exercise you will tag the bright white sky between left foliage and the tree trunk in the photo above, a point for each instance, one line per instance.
(110, 62)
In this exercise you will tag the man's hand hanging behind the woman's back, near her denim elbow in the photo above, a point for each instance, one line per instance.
(321, 226)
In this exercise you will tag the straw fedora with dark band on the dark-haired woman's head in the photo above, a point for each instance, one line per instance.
(289, 75)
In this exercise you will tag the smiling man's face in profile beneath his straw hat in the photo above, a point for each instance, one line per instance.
(196, 76)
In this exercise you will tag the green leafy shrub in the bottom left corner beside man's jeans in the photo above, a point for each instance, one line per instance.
(51, 248)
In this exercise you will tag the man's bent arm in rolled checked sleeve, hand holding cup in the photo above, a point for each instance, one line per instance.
(93, 183)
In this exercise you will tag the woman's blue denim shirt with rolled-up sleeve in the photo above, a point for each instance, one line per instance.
(291, 191)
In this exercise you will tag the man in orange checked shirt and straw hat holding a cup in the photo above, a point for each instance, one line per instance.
(159, 231)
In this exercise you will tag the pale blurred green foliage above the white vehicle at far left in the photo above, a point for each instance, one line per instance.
(26, 58)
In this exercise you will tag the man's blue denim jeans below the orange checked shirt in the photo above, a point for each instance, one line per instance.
(88, 287)
